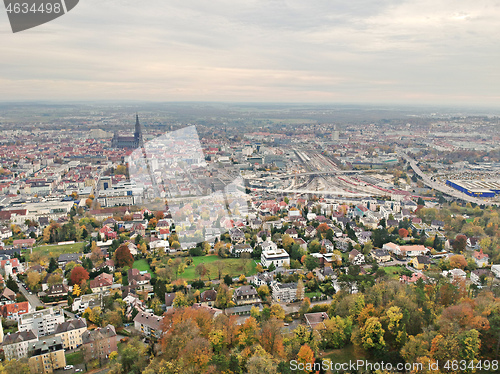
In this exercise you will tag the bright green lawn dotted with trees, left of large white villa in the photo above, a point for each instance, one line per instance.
(232, 266)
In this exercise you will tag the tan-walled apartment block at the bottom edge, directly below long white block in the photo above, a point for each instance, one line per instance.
(47, 355)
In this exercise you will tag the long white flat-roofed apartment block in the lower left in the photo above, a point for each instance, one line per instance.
(42, 322)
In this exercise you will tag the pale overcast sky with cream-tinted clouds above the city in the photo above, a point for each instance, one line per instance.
(380, 51)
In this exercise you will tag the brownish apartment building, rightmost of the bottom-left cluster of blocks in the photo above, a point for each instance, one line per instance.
(99, 343)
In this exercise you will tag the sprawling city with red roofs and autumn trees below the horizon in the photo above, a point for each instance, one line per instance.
(206, 238)
